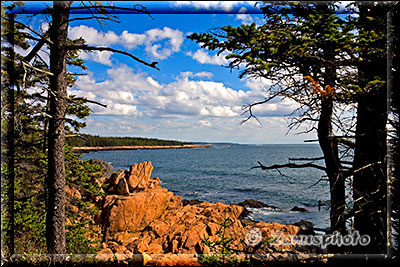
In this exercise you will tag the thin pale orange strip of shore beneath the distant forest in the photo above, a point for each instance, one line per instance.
(106, 148)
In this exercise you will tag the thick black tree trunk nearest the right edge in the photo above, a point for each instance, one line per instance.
(369, 180)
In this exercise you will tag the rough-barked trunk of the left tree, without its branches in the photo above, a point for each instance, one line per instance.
(55, 220)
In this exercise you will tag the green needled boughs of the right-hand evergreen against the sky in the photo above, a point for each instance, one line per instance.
(298, 39)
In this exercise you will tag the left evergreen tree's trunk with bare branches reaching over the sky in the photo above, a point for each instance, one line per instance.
(63, 52)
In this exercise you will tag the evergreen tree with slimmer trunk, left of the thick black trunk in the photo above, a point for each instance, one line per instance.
(300, 47)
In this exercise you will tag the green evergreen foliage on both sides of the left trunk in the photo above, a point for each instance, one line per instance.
(30, 122)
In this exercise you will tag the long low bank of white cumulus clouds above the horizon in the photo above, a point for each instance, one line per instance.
(137, 94)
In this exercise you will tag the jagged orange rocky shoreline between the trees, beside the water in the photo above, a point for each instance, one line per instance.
(142, 221)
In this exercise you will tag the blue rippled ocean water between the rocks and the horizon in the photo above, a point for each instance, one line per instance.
(223, 173)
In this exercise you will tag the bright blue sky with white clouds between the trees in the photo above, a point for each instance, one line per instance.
(194, 96)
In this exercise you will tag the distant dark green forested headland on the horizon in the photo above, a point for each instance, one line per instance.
(86, 140)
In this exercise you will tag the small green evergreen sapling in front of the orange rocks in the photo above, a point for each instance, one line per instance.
(222, 253)
